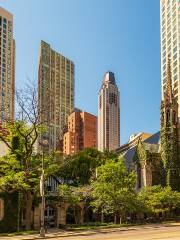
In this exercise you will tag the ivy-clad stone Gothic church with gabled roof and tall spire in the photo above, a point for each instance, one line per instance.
(156, 158)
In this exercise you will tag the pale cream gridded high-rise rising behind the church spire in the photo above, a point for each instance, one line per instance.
(170, 45)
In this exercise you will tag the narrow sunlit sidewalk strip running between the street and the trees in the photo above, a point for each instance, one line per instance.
(54, 233)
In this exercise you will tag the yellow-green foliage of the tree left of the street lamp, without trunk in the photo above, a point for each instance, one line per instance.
(18, 169)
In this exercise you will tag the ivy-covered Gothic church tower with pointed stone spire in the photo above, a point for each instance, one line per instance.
(170, 150)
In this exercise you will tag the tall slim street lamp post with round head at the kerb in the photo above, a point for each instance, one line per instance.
(44, 143)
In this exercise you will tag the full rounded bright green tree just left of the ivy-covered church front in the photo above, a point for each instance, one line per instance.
(114, 189)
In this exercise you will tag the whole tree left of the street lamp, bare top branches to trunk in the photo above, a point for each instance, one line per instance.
(19, 170)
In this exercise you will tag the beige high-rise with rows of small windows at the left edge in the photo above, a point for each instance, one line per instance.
(7, 66)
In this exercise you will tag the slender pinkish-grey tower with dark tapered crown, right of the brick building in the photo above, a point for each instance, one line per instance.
(108, 114)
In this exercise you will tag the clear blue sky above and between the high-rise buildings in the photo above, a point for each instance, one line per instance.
(98, 35)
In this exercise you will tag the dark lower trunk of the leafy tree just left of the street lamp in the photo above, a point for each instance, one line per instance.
(28, 205)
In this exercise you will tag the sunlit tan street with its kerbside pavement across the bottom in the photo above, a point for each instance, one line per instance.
(148, 232)
